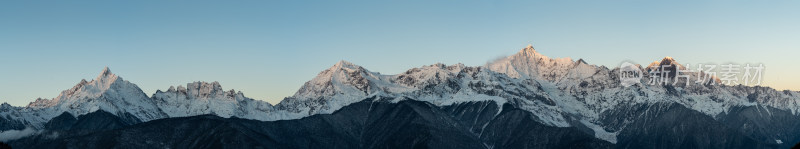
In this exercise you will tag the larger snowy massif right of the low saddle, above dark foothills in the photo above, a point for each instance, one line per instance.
(560, 92)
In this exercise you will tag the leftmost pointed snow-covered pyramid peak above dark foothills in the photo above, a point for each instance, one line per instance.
(108, 92)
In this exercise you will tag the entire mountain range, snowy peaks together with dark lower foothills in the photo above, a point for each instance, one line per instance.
(526, 100)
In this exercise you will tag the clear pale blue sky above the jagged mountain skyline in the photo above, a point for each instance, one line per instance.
(268, 49)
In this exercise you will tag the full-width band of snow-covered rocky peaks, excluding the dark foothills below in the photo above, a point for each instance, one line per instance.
(560, 92)
